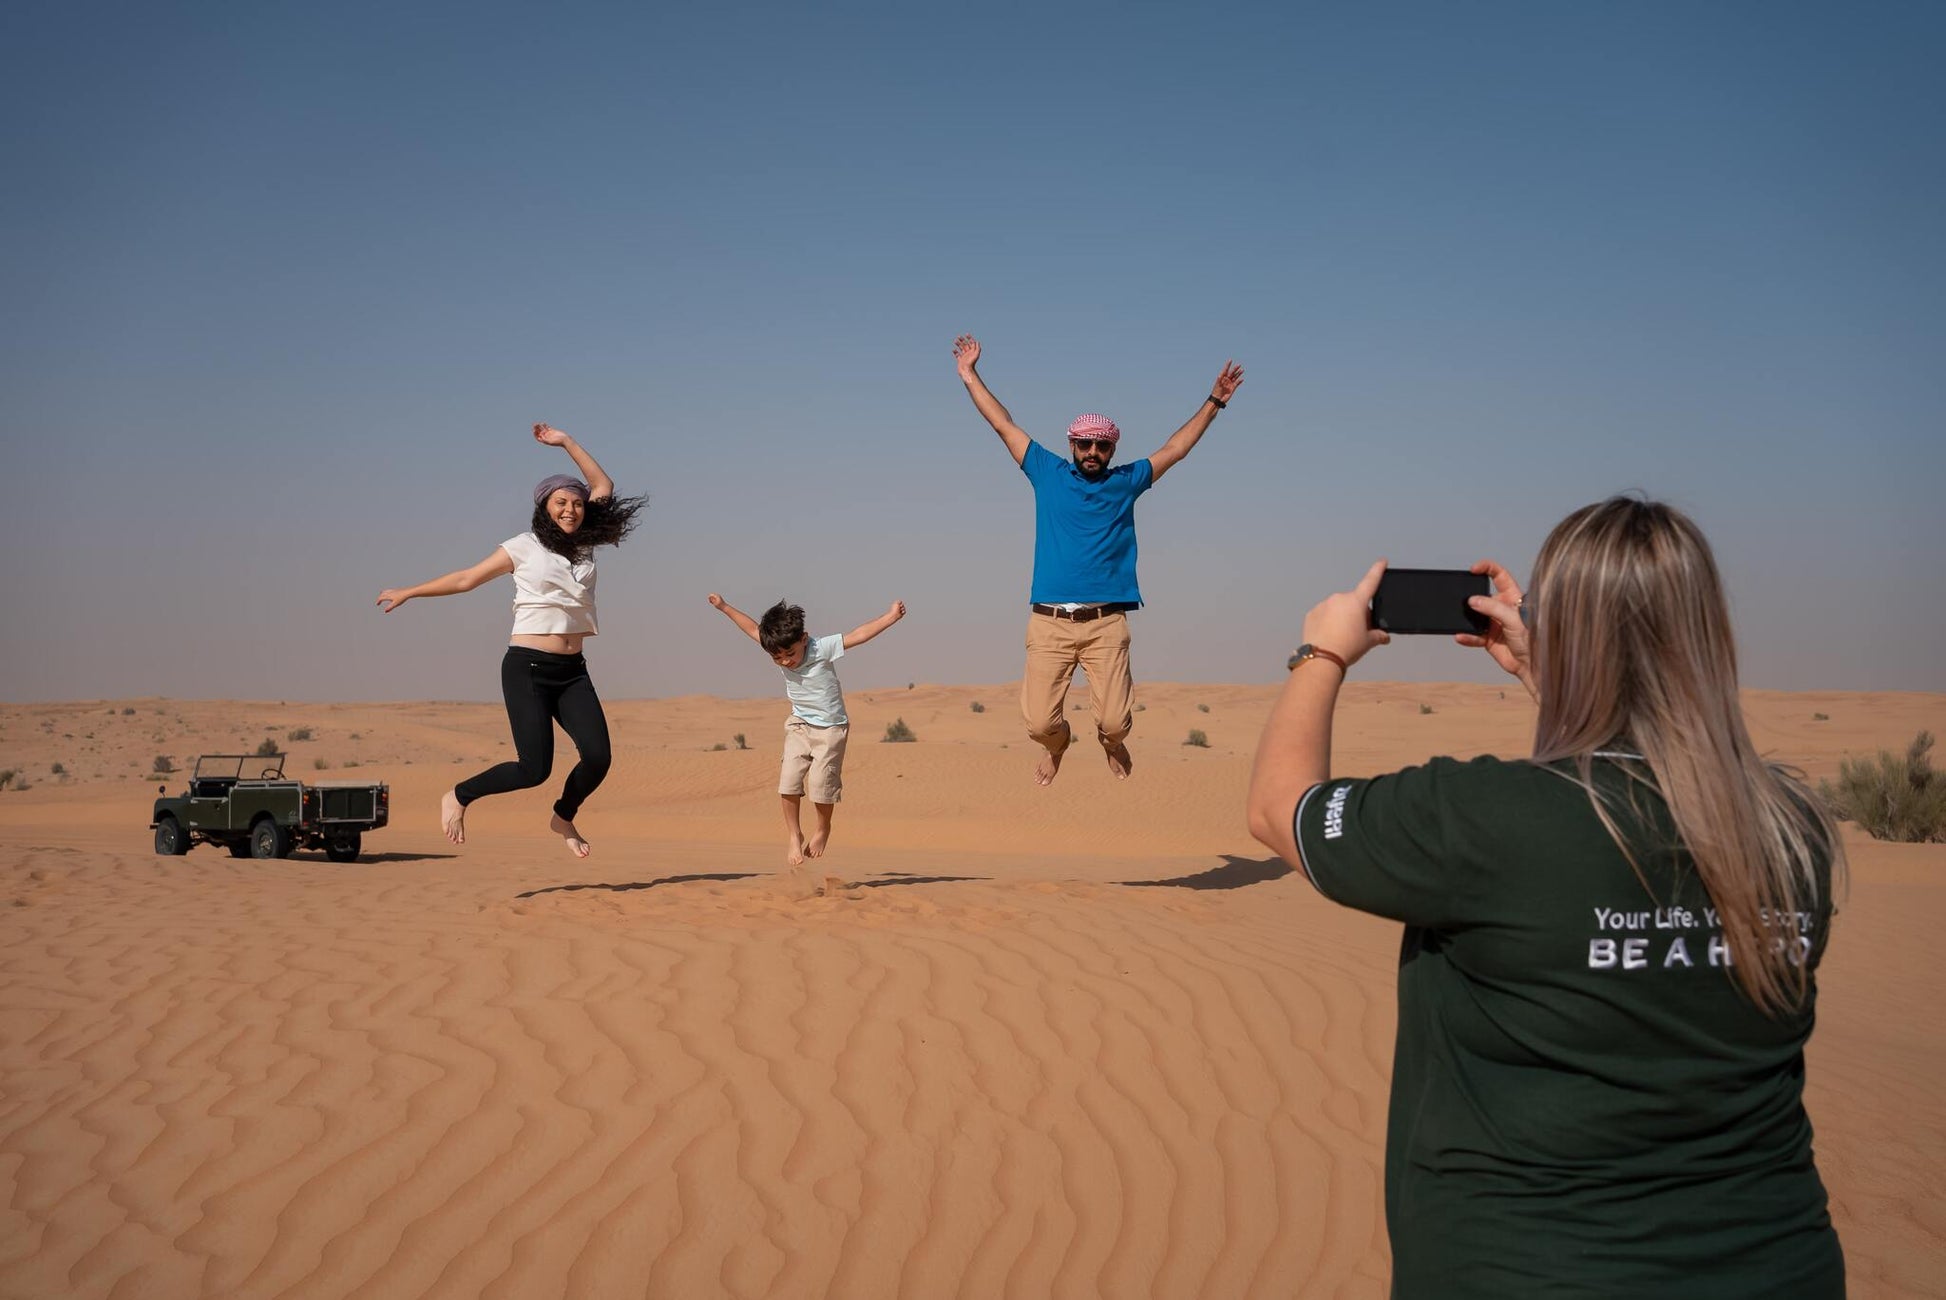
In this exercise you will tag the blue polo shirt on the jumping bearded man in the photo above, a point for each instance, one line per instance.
(1083, 530)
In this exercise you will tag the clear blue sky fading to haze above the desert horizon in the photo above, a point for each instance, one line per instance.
(287, 285)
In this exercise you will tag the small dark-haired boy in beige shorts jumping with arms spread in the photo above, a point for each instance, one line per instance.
(816, 731)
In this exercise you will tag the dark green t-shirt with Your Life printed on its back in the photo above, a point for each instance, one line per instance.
(1583, 1104)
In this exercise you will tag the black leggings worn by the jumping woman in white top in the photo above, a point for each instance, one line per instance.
(542, 688)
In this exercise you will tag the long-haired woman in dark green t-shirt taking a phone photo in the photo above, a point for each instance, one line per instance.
(1610, 953)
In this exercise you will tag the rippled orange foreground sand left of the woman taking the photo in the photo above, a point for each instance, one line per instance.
(229, 1081)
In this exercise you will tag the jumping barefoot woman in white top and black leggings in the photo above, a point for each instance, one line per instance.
(544, 674)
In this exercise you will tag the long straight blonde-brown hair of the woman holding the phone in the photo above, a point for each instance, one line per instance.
(1634, 651)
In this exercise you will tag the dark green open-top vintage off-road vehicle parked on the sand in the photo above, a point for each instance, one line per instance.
(244, 803)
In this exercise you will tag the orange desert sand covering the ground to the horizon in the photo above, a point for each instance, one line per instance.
(1073, 1042)
